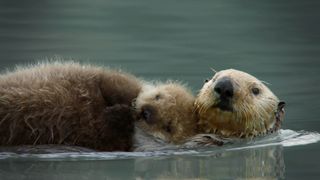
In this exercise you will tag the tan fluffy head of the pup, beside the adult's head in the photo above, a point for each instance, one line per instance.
(166, 111)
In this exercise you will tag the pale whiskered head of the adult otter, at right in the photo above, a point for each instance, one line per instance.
(236, 104)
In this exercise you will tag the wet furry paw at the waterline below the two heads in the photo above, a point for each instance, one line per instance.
(202, 140)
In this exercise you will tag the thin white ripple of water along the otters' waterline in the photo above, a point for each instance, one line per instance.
(285, 138)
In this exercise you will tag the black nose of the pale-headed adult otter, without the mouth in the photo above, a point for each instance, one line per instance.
(224, 88)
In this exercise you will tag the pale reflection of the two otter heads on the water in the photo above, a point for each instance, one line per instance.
(250, 163)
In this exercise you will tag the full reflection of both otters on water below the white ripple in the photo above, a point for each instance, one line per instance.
(248, 163)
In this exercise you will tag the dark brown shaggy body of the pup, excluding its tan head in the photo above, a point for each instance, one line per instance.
(68, 104)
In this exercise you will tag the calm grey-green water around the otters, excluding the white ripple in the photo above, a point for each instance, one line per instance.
(277, 41)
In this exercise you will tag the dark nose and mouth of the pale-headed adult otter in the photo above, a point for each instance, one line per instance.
(225, 91)
